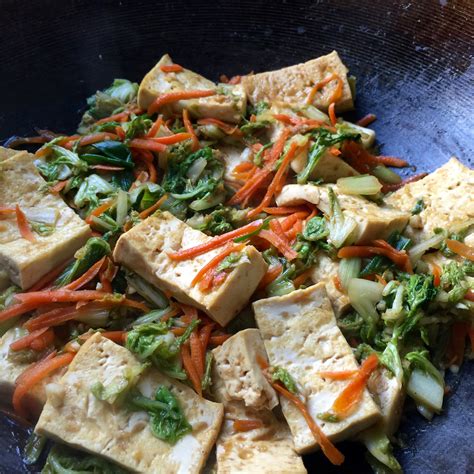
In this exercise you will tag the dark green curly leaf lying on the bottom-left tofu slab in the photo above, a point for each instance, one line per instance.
(167, 420)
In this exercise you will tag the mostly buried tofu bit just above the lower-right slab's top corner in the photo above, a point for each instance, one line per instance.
(325, 270)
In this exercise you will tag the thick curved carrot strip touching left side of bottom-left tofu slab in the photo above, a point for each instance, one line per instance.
(33, 375)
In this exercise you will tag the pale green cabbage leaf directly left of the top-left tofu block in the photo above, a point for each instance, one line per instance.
(108, 102)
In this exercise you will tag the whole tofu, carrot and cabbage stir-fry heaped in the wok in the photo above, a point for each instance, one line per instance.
(224, 277)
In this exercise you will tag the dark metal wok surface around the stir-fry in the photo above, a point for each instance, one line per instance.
(413, 66)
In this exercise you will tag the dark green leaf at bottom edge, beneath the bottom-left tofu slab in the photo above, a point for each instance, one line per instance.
(64, 460)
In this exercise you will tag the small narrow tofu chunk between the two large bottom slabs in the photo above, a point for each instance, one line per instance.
(236, 365)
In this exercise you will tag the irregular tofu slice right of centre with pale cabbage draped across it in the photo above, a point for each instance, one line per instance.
(373, 221)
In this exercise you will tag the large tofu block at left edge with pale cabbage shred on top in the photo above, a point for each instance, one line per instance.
(26, 262)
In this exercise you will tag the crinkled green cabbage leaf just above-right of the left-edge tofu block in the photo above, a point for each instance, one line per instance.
(61, 164)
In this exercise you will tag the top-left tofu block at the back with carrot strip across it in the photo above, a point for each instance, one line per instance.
(228, 104)
